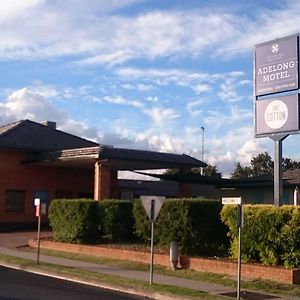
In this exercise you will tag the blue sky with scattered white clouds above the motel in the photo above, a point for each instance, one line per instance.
(143, 74)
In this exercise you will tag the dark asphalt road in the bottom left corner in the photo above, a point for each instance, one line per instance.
(20, 285)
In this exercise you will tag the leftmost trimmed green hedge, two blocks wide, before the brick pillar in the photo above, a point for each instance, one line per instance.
(86, 221)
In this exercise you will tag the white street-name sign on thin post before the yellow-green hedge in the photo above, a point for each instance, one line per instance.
(240, 217)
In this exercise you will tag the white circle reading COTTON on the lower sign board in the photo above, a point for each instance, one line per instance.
(276, 114)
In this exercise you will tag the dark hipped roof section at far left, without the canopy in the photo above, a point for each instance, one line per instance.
(29, 135)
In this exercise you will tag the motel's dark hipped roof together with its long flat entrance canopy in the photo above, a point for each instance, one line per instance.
(49, 145)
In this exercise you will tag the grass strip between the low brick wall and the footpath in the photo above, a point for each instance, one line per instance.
(258, 285)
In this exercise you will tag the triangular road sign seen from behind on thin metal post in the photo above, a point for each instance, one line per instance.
(152, 206)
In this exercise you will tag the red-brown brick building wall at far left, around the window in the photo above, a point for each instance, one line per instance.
(16, 175)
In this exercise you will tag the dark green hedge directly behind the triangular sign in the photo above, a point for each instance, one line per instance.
(194, 224)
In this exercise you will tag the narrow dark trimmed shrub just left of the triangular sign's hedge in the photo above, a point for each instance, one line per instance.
(117, 220)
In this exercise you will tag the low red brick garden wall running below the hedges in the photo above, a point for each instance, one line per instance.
(219, 266)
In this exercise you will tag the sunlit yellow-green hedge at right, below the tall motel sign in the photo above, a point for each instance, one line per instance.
(270, 235)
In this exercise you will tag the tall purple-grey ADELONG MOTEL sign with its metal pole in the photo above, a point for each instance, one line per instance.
(276, 69)
